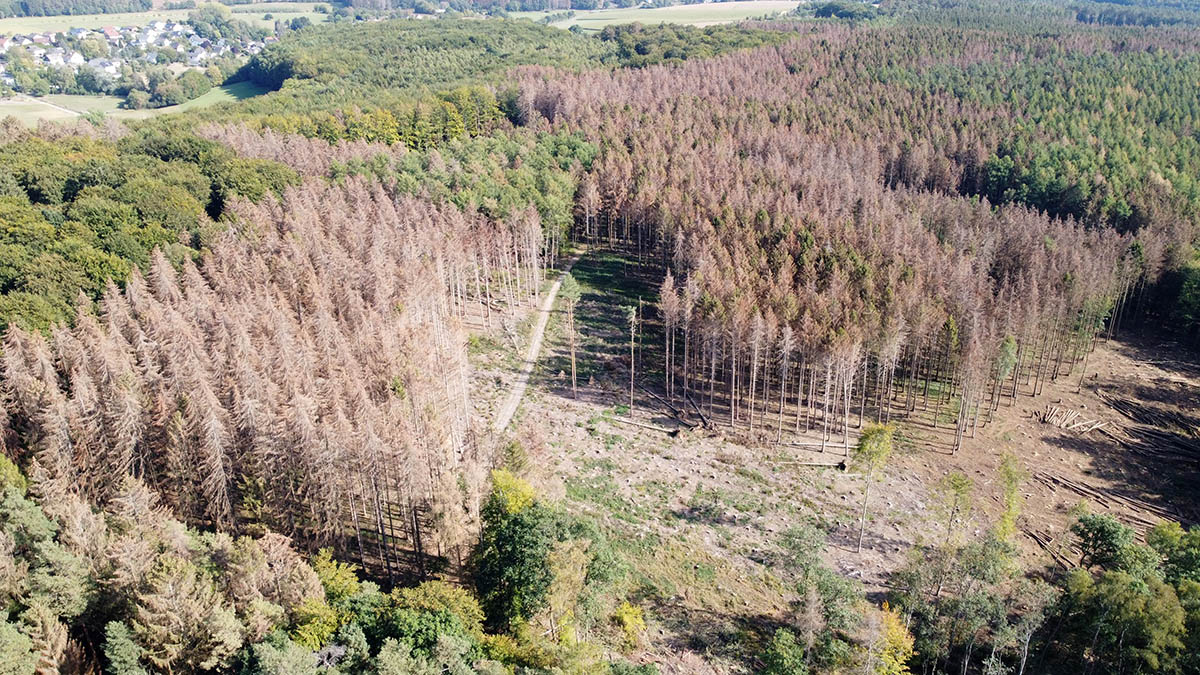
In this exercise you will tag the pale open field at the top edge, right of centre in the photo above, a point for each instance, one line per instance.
(706, 14)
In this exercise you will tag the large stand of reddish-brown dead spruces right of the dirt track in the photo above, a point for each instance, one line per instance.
(899, 292)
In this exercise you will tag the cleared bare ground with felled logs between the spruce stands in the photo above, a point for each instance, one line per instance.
(700, 515)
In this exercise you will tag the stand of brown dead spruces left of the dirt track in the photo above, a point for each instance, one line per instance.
(310, 377)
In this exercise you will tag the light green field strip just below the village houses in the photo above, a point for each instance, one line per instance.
(64, 106)
